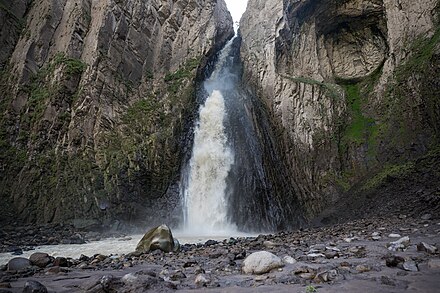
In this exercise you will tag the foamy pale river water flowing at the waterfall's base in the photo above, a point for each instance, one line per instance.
(115, 246)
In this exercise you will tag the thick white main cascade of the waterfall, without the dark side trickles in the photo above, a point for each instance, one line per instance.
(205, 200)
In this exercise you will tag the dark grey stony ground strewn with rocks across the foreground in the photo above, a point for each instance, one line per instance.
(376, 255)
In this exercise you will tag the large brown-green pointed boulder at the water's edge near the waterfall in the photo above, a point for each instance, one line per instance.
(158, 238)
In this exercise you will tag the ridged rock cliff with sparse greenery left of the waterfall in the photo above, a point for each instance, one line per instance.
(96, 99)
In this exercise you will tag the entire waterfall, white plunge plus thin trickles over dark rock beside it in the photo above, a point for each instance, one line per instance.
(227, 185)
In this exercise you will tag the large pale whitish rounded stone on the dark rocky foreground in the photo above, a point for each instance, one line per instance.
(261, 262)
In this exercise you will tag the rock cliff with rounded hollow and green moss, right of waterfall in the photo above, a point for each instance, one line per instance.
(351, 86)
